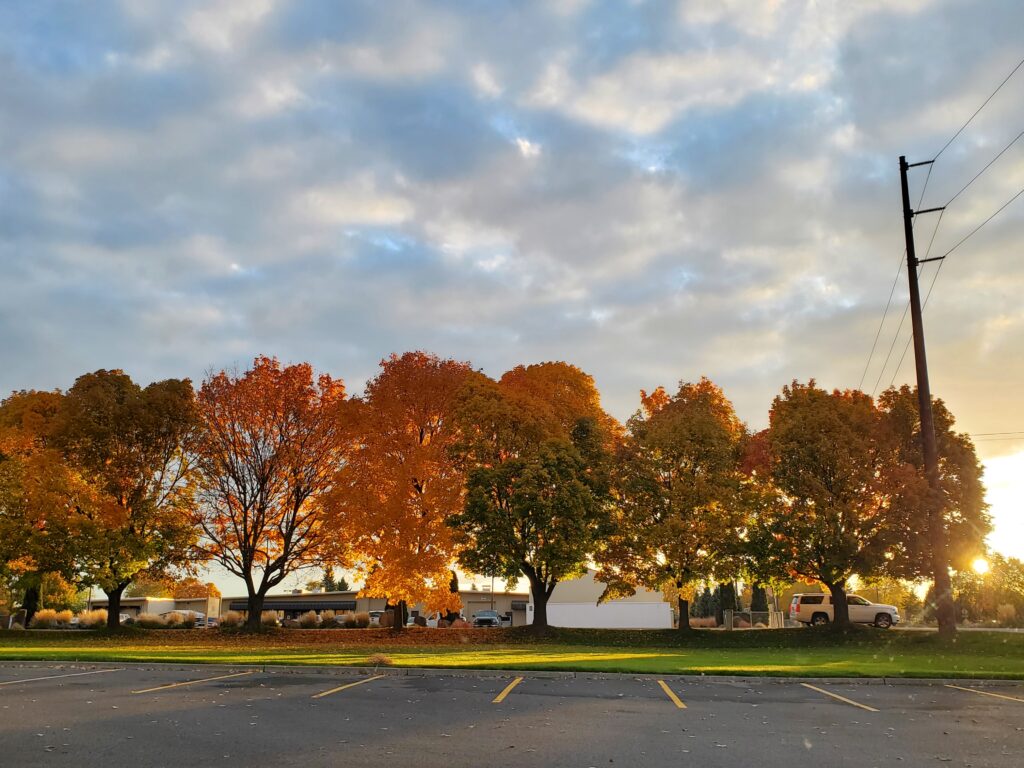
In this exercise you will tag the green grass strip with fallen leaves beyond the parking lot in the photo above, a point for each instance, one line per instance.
(786, 653)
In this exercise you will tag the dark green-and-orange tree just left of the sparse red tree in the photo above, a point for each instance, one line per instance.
(130, 444)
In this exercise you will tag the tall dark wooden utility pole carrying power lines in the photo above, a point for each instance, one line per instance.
(946, 612)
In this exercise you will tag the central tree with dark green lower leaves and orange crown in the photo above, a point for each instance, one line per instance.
(537, 447)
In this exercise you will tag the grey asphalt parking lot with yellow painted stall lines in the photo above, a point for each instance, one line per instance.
(92, 716)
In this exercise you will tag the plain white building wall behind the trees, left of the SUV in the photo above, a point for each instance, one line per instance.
(575, 604)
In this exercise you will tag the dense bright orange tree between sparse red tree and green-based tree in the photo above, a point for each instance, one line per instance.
(400, 483)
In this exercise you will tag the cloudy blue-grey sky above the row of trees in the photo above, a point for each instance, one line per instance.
(652, 191)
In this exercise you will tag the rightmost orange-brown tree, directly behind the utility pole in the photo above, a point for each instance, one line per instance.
(963, 514)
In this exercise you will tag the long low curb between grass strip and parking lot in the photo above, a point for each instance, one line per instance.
(342, 671)
